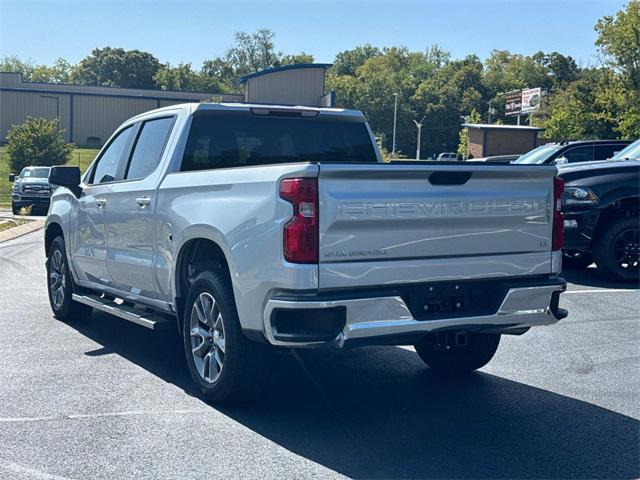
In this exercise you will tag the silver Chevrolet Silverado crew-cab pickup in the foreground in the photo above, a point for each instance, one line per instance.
(246, 224)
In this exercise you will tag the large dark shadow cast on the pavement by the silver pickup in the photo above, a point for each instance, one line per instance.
(379, 413)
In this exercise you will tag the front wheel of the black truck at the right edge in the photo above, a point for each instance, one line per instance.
(616, 250)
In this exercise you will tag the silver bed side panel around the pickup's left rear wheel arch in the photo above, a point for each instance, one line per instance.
(240, 210)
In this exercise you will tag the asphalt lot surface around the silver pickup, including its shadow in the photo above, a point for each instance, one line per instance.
(104, 398)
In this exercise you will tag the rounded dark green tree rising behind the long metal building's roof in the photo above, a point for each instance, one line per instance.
(117, 67)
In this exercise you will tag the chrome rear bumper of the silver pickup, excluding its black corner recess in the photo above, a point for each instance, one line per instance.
(380, 317)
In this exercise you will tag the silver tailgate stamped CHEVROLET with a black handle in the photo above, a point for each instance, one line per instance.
(396, 223)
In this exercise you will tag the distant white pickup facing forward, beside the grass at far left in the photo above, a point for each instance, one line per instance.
(31, 189)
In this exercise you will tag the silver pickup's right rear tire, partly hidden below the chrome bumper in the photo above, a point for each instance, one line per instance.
(441, 354)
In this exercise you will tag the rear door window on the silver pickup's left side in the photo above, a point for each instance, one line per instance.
(147, 151)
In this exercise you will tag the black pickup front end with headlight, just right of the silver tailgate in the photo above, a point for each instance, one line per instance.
(601, 216)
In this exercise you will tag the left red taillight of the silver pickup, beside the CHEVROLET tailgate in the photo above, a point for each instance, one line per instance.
(301, 233)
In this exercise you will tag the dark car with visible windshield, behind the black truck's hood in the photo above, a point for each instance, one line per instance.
(572, 152)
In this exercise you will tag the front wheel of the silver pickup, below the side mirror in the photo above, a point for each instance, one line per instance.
(58, 275)
